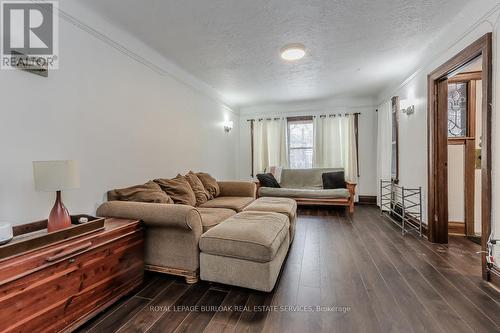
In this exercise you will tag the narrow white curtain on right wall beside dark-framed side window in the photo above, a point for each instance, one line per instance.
(384, 144)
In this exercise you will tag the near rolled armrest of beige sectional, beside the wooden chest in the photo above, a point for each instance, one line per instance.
(153, 214)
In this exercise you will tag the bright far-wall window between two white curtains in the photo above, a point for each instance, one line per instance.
(300, 142)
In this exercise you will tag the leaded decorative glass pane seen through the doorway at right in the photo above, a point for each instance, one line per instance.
(457, 110)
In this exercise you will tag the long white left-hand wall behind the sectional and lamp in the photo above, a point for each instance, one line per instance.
(125, 122)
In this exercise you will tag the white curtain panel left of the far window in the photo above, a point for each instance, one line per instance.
(270, 147)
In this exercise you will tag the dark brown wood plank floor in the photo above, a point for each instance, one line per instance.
(343, 274)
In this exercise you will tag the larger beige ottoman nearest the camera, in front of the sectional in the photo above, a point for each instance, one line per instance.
(246, 250)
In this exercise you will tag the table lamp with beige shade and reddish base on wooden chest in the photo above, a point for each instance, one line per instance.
(56, 176)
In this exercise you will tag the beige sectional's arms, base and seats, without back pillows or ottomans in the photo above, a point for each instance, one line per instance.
(173, 231)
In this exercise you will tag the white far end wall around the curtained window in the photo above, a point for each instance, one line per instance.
(367, 132)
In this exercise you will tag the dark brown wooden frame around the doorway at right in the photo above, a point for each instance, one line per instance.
(438, 145)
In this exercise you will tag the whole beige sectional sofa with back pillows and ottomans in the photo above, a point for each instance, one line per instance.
(232, 238)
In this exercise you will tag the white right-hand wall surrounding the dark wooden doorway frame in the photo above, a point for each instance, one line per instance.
(477, 19)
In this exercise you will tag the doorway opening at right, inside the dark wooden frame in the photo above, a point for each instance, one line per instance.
(464, 151)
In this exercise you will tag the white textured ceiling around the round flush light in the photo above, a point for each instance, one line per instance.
(354, 47)
